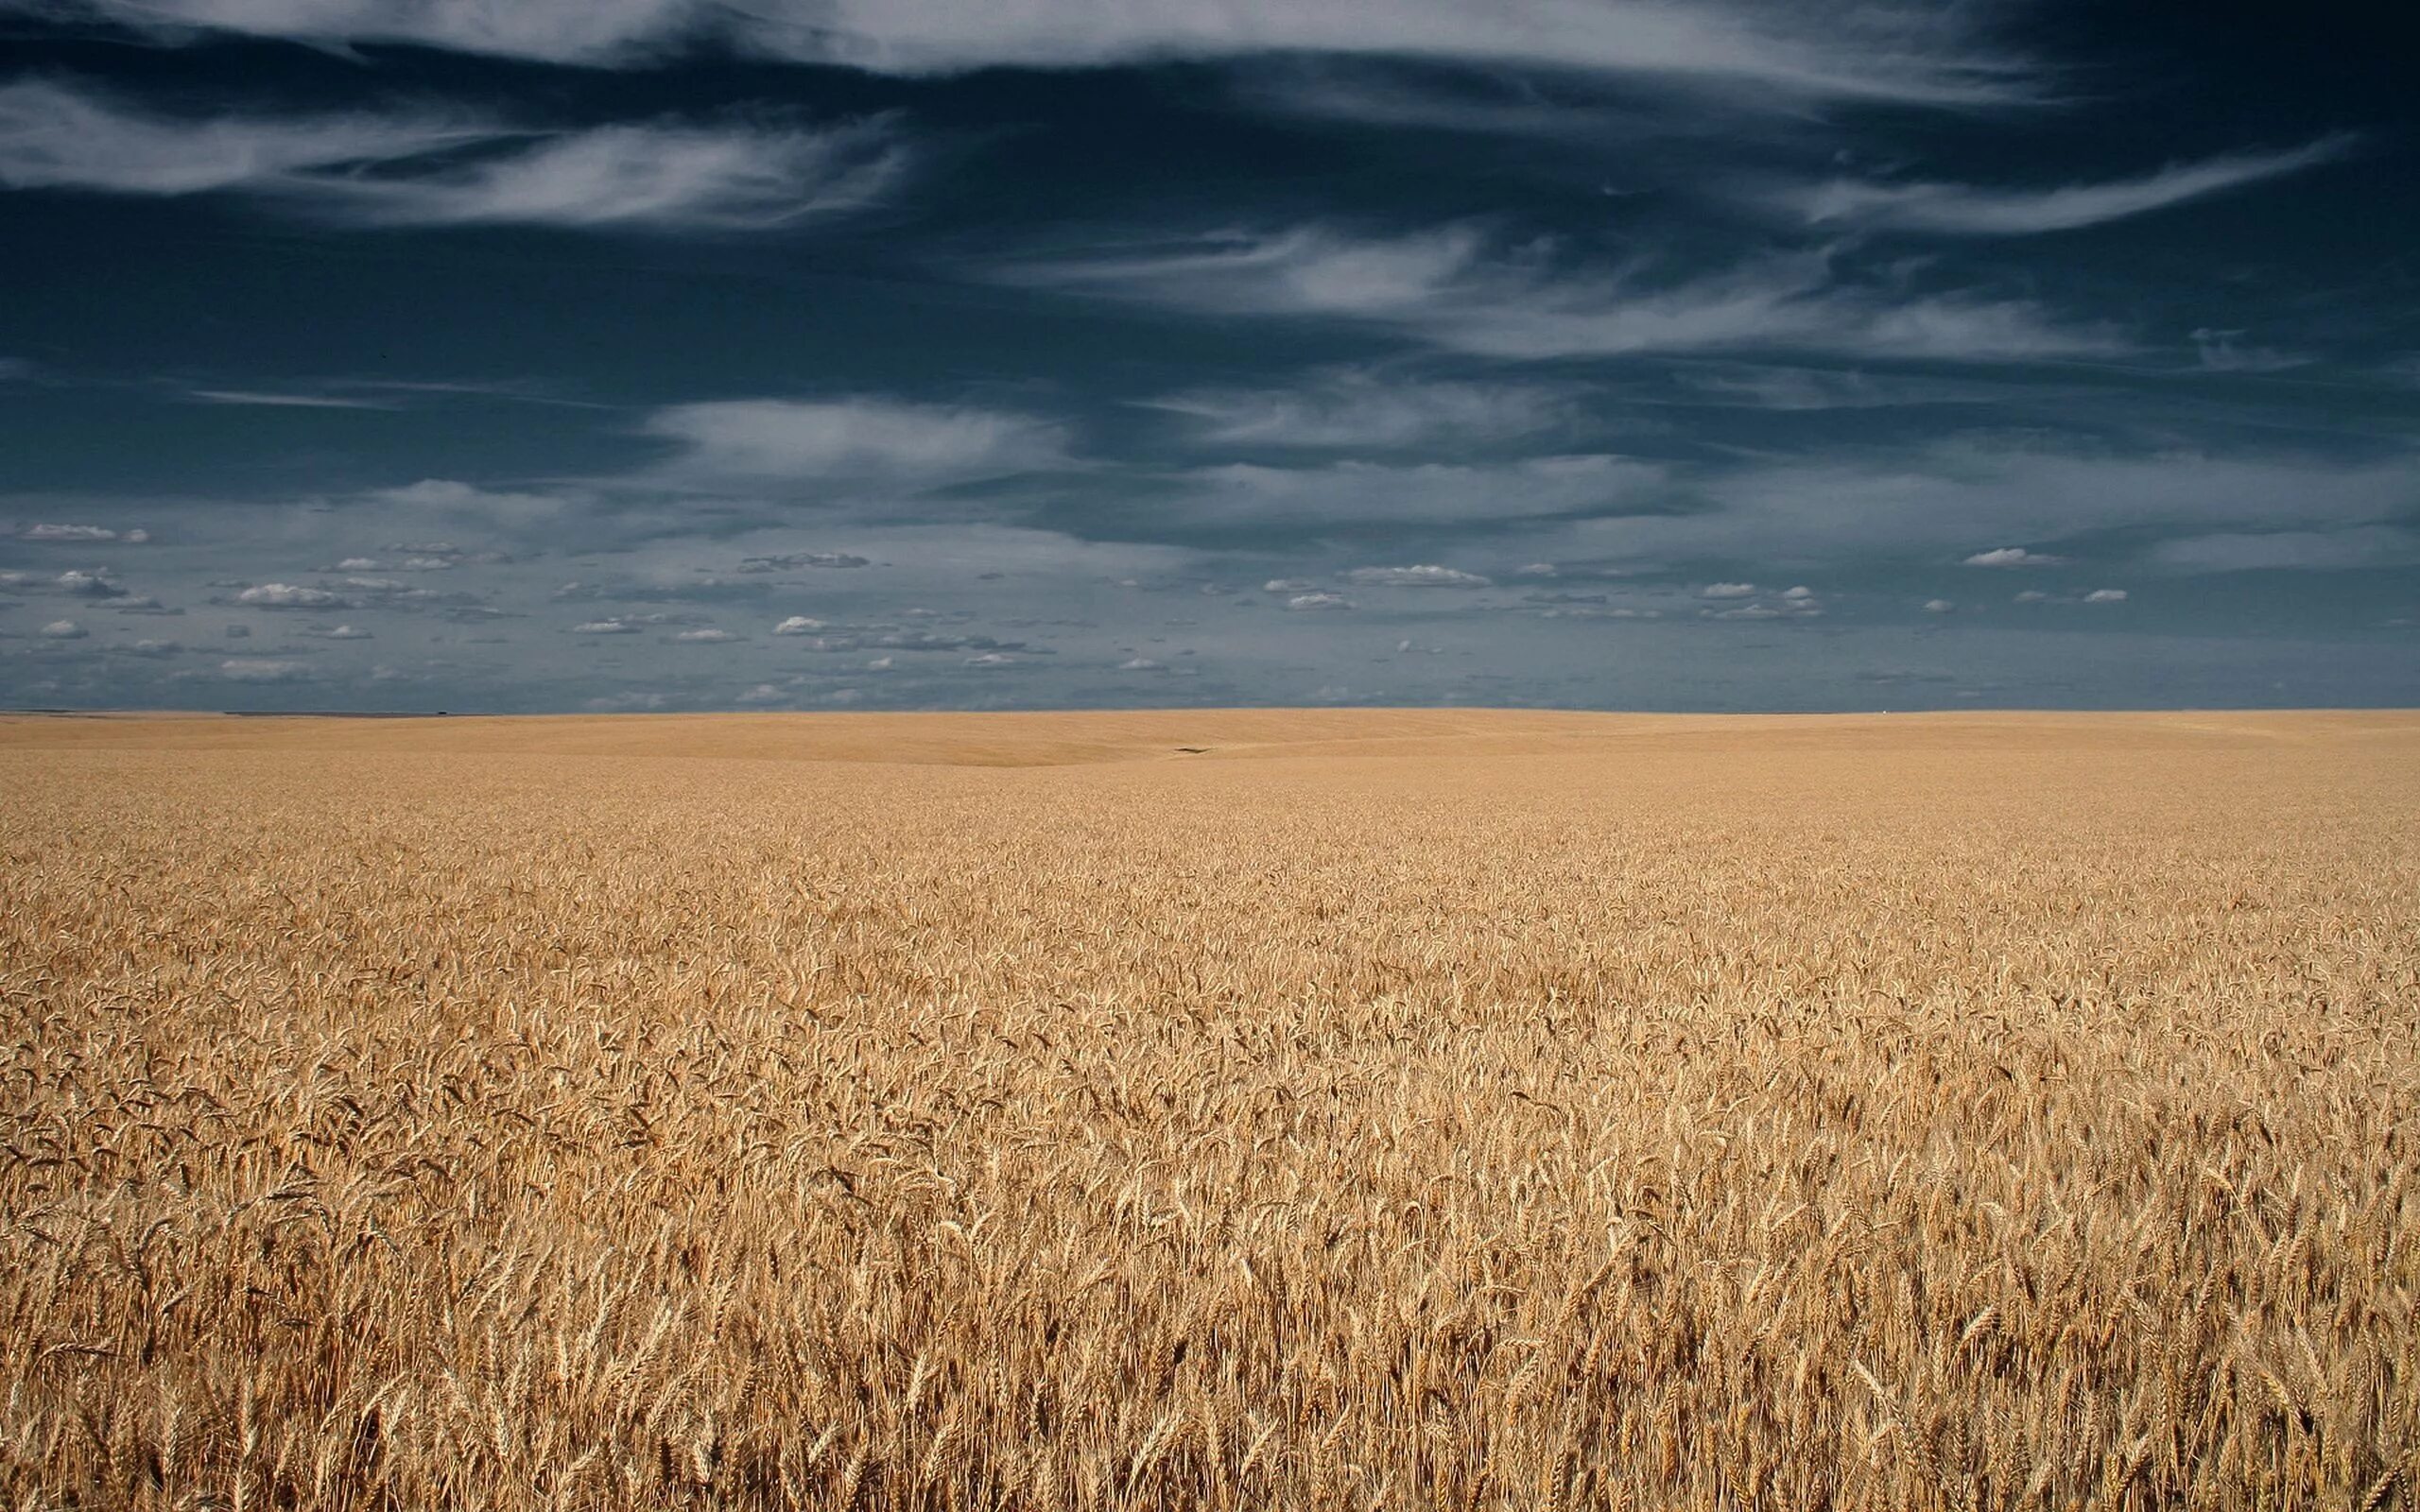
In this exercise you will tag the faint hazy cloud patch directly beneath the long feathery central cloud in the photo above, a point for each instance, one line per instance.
(1356, 408)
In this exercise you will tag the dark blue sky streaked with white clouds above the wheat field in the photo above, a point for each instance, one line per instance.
(819, 354)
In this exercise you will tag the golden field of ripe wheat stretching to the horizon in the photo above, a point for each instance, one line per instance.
(1364, 1112)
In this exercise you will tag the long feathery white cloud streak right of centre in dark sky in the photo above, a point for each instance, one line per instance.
(1456, 289)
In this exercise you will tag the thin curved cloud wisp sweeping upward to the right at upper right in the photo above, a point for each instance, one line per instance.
(1964, 212)
